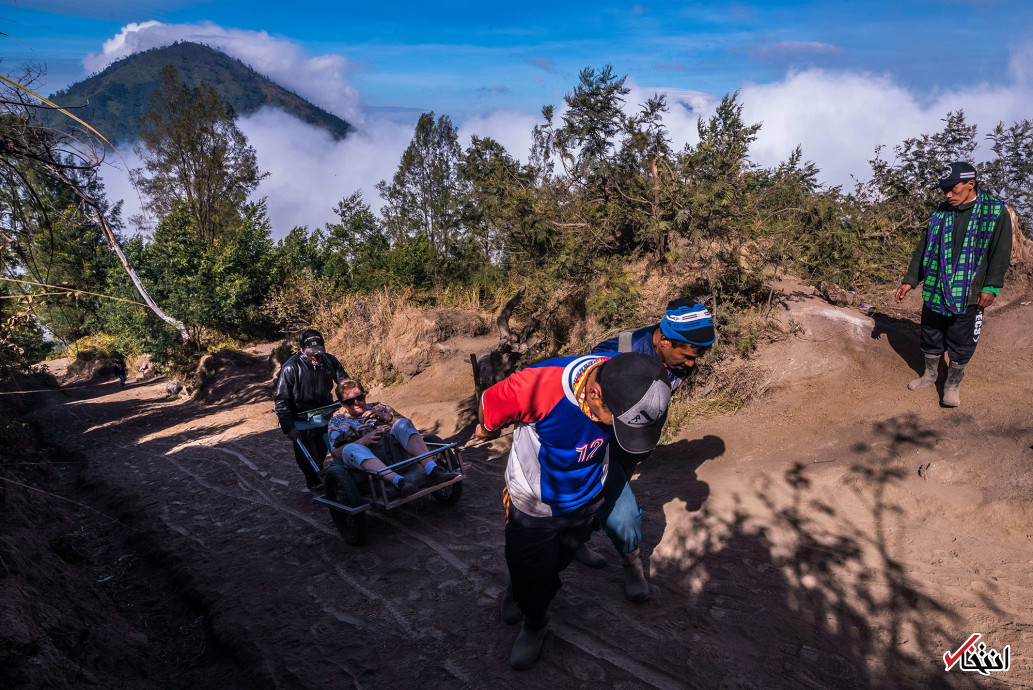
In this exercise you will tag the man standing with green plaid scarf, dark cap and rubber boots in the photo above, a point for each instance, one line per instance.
(960, 263)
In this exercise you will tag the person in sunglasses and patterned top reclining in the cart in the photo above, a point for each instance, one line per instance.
(358, 433)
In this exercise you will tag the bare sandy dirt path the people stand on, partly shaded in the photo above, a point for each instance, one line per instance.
(840, 532)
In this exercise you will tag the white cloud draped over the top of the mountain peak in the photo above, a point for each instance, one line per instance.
(322, 79)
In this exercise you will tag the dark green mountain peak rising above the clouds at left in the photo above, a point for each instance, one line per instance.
(120, 96)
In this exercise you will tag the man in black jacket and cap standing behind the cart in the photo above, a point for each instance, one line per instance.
(307, 382)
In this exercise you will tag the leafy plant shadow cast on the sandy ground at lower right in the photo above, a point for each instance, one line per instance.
(787, 589)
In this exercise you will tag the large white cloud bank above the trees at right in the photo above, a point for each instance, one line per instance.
(839, 118)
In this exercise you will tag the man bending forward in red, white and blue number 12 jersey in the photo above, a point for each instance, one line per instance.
(567, 411)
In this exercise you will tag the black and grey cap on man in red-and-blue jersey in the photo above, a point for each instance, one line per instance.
(637, 391)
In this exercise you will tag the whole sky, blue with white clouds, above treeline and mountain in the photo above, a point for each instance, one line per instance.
(839, 78)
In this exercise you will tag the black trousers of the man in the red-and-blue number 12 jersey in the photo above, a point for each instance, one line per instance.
(538, 551)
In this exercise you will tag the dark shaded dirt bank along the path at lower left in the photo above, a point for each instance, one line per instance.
(81, 604)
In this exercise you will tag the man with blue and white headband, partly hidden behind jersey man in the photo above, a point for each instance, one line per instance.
(685, 334)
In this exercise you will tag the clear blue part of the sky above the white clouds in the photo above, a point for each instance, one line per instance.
(466, 57)
